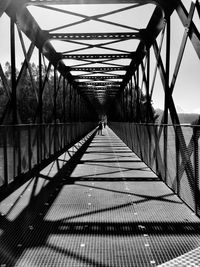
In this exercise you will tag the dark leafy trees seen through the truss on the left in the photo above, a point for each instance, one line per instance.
(28, 96)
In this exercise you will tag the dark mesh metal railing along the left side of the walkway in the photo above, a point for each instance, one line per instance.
(26, 148)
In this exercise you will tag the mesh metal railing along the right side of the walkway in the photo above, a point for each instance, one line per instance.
(171, 151)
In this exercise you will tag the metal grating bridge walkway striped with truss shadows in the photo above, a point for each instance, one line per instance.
(97, 205)
